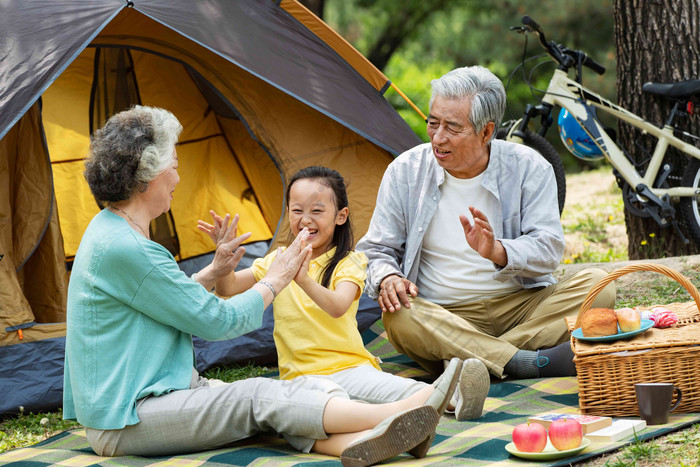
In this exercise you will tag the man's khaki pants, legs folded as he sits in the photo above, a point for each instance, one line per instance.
(492, 330)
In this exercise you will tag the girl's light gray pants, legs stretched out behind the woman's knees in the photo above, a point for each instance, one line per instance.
(368, 384)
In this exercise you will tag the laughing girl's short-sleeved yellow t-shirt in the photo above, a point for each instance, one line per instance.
(308, 340)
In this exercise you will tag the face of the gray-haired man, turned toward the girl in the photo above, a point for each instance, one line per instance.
(456, 146)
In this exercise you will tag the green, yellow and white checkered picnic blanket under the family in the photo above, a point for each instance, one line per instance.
(478, 442)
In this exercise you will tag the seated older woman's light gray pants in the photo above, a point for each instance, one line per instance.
(209, 416)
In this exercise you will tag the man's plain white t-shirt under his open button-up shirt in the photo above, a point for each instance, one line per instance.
(450, 271)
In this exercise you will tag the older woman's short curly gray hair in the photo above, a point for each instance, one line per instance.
(129, 151)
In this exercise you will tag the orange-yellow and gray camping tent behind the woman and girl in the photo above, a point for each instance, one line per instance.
(262, 87)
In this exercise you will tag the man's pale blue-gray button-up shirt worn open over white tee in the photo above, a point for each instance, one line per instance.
(521, 180)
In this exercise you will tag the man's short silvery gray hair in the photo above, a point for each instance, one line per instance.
(481, 87)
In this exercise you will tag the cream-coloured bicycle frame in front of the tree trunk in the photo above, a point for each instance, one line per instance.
(579, 101)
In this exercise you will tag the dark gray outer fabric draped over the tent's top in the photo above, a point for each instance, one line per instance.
(41, 38)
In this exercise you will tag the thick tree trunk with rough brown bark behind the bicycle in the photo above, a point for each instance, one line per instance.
(657, 41)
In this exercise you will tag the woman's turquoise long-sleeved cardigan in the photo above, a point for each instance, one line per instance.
(131, 316)
